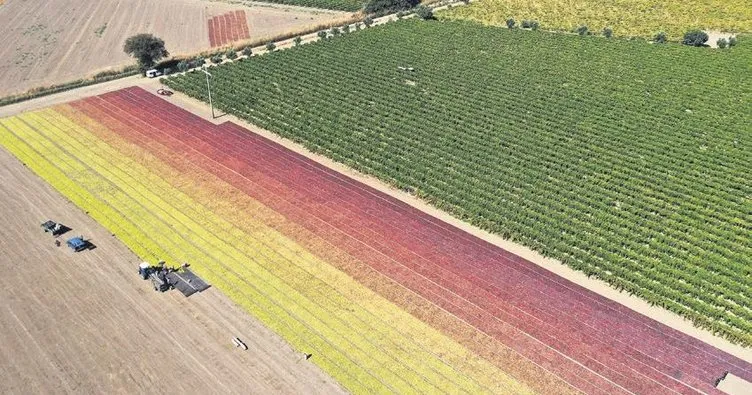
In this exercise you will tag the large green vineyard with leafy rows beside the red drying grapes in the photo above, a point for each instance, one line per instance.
(625, 160)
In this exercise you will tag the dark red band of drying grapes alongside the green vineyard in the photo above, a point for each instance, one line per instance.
(433, 265)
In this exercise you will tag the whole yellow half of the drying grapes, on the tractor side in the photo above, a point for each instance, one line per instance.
(363, 341)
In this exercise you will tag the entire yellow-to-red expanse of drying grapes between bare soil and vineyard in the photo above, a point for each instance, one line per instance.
(386, 297)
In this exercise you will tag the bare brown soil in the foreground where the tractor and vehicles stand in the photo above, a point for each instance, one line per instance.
(87, 323)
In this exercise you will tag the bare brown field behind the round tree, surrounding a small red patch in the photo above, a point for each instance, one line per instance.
(60, 41)
